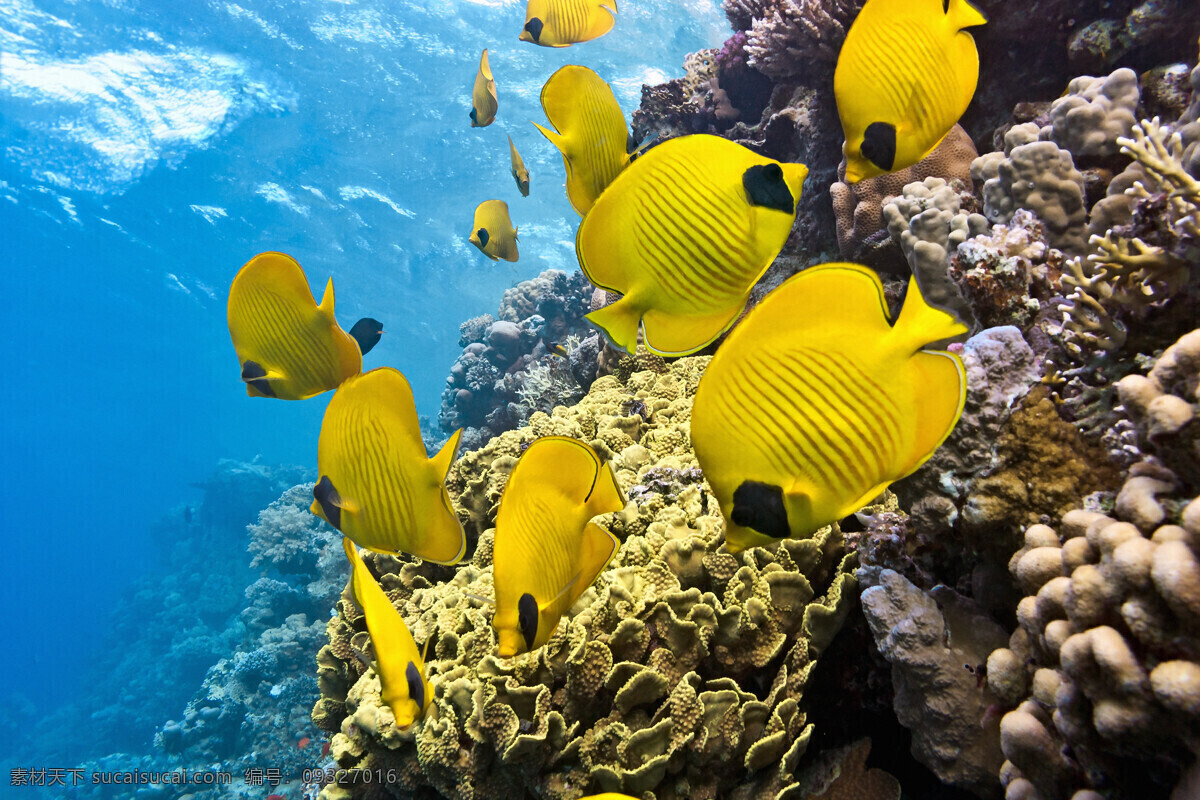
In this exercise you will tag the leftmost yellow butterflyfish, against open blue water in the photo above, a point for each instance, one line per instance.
(290, 347)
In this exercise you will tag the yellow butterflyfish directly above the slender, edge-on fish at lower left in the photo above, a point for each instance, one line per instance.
(377, 486)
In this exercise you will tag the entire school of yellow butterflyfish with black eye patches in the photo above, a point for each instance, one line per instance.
(809, 410)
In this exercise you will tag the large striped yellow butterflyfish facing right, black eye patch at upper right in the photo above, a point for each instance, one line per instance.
(685, 234)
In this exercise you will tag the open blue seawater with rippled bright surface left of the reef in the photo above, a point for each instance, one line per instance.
(149, 149)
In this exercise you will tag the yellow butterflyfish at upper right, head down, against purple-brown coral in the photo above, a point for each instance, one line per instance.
(905, 76)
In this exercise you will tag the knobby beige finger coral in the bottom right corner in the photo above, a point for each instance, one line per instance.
(1105, 671)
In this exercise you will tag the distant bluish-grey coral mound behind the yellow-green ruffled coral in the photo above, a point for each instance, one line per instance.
(513, 365)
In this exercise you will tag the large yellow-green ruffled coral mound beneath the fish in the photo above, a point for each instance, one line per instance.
(679, 673)
